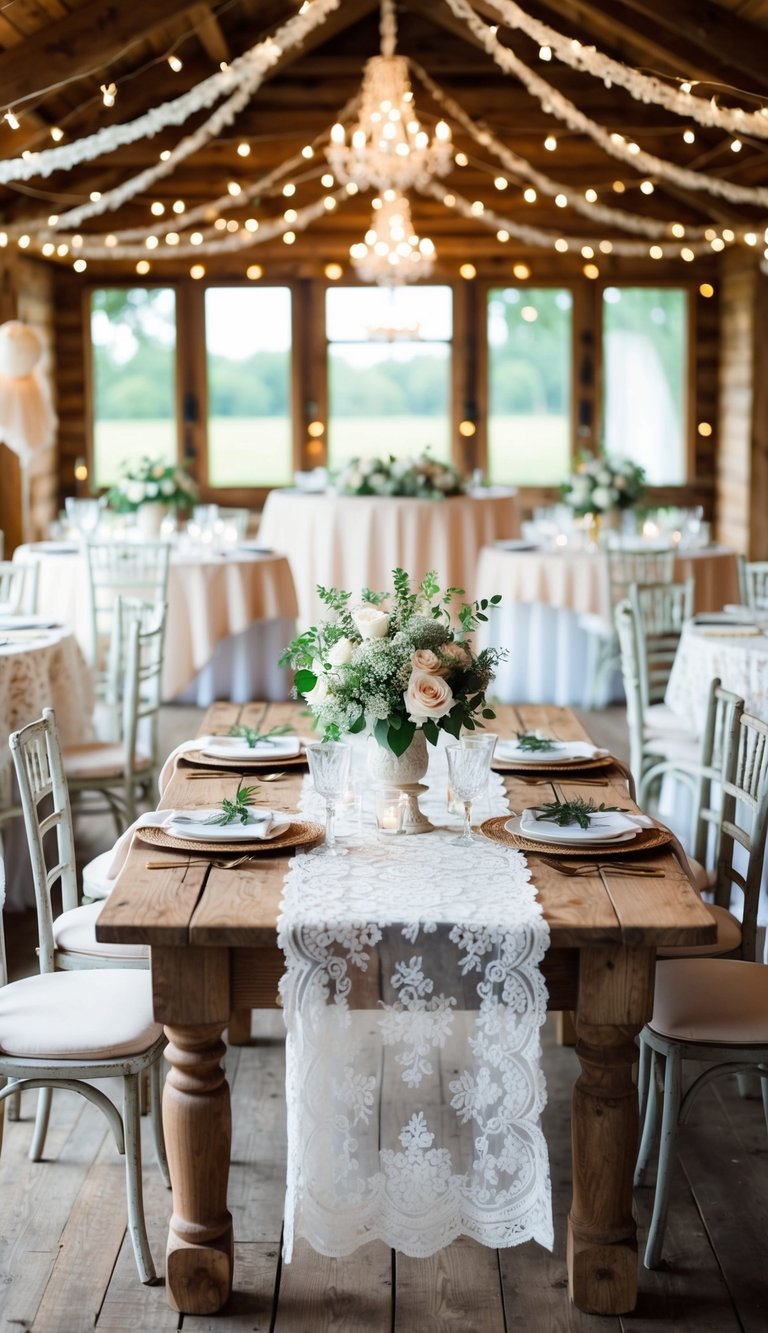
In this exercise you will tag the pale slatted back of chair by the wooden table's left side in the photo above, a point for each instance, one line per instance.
(46, 808)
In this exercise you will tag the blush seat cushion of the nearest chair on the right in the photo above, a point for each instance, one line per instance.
(713, 1000)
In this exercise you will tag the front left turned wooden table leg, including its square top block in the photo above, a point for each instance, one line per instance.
(191, 990)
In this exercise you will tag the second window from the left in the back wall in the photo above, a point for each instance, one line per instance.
(249, 351)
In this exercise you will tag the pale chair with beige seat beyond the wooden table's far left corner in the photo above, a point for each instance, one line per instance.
(125, 771)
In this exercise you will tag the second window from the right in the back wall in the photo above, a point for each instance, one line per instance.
(530, 333)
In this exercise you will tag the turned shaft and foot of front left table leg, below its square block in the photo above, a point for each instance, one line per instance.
(198, 1124)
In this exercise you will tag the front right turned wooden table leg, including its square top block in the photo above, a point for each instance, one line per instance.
(615, 1000)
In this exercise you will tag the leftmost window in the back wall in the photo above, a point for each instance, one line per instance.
(134, 370)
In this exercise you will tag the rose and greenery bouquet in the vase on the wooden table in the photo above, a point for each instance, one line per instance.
(395, 665)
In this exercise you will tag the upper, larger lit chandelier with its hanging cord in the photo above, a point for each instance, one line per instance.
(389, 147)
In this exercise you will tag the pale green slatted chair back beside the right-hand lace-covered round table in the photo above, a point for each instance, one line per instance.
(661, 613)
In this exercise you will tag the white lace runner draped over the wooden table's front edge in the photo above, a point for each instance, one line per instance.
(414, 1003)
